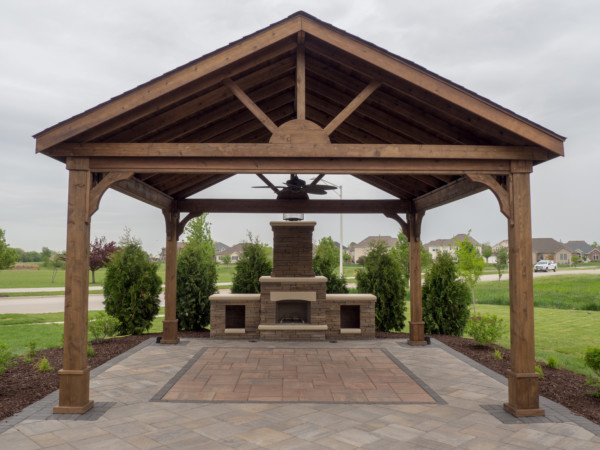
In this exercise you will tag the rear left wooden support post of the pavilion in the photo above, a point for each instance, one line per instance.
(170, 323)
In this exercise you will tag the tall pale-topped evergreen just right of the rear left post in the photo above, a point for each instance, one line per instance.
(196, 276)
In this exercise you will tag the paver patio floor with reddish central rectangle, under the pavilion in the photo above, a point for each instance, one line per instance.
(134, 408)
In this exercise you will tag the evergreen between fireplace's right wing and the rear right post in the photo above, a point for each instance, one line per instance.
(382, 277)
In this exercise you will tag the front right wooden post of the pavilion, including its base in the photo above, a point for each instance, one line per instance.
(523, 389)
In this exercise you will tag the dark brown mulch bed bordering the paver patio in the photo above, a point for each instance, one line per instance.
(22, 384)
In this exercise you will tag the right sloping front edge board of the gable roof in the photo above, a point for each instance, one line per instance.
(436, 85)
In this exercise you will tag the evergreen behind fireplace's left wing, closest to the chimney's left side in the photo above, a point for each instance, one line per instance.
(252, 264)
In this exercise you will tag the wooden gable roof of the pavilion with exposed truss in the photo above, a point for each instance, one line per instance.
(353, 93)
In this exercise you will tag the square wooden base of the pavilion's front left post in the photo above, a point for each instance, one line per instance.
(74, 392)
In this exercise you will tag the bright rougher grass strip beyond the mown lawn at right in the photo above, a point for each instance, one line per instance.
(581, 292)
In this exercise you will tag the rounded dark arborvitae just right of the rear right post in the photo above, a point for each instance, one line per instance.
(445, 298)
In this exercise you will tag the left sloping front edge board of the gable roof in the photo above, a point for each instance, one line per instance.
(168, 84)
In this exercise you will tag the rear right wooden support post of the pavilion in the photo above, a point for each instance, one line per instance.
(416, 324)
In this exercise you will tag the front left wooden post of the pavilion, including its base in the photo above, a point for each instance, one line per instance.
(74, 378)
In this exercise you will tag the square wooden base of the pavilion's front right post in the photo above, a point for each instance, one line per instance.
(523, 394)
